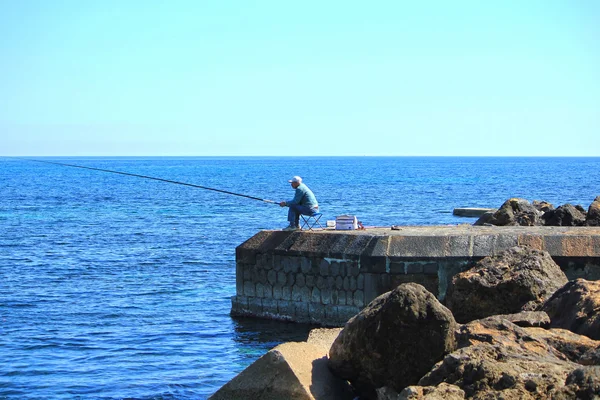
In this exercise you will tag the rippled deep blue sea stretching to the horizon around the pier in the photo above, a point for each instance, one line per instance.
(117, 287)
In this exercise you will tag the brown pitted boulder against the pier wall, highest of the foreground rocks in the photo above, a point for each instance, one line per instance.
(518, 279)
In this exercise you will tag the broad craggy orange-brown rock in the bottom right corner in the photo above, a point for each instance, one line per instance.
(499, 360)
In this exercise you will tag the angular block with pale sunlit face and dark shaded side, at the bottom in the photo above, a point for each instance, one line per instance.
(288, 371)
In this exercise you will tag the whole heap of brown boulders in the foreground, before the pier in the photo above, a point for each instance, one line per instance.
(511, 327)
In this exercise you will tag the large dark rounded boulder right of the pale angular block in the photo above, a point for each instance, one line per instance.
(393, 341)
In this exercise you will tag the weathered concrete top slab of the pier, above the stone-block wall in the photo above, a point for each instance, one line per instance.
(427, 241)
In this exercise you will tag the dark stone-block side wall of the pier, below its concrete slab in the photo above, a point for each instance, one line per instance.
(320, 290)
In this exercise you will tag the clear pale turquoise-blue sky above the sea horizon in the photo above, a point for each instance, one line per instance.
(126, 77)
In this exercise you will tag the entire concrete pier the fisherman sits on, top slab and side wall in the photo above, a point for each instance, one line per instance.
(325, 277)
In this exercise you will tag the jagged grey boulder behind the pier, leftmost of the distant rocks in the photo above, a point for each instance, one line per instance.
(514, 211)
